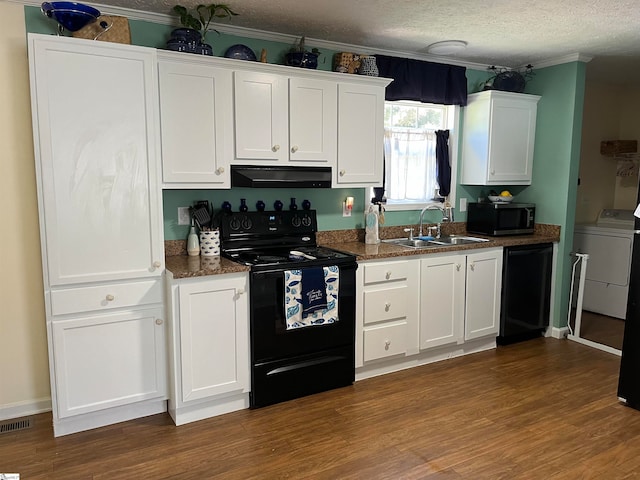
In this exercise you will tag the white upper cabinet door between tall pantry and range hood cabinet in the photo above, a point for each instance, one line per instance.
(196, 124)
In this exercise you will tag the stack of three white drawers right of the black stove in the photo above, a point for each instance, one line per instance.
(386, 310)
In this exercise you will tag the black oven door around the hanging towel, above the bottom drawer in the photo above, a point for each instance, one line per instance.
(270, 338)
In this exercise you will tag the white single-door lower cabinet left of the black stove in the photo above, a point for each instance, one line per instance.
(210, 346)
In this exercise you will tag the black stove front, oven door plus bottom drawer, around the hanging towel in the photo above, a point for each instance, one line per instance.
(287, 364)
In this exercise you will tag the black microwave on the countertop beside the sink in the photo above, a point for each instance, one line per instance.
(501, 218)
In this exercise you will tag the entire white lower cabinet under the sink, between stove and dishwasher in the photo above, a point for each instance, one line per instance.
(422, 309)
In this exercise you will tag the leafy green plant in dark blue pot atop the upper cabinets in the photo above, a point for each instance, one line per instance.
(195, 24)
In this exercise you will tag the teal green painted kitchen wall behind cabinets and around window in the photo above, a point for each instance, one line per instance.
(556, 158)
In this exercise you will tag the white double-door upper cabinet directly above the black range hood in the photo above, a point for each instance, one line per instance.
(284, 119)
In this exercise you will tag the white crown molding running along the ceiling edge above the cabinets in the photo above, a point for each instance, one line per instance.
(165, 19)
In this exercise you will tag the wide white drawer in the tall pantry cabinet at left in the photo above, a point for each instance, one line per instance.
(103, 297)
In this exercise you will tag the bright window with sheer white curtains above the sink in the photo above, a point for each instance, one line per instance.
(410, 158)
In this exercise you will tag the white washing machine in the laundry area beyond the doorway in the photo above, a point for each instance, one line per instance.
(609, 243)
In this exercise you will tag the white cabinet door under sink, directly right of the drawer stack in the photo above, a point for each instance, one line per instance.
(442, 300)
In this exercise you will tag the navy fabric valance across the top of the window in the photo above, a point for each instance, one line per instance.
(422, 81)
